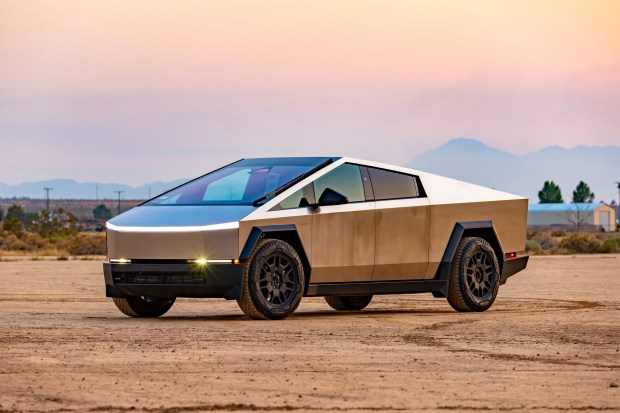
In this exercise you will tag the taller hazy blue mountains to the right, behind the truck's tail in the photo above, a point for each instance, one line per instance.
(473, 161)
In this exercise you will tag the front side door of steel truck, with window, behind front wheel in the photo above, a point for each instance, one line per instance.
(343, 236)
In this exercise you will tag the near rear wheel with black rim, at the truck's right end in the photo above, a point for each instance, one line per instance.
(474, 276)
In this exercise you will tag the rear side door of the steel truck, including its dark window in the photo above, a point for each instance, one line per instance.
(402, 226)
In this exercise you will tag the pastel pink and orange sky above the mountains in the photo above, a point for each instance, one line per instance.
(146, 90)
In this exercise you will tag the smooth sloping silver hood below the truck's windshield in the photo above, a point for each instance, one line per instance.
(173, 218)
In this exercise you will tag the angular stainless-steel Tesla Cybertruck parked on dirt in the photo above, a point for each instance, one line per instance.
(267, 231)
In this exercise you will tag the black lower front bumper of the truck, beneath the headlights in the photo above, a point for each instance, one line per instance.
(173, 279)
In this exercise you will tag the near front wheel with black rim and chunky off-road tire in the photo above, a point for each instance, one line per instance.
(273, 281)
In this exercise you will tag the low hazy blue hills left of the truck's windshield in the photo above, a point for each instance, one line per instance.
(70, 189)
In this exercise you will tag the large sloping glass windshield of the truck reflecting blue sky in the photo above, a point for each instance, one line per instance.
(240, 183)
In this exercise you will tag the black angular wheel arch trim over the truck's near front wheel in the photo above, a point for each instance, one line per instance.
(287, 233)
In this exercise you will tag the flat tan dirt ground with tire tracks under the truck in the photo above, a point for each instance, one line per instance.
(551, 342)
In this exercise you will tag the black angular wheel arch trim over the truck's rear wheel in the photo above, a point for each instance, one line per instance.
(480, 229)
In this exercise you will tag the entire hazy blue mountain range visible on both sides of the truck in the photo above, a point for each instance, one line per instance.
(465, 159)
